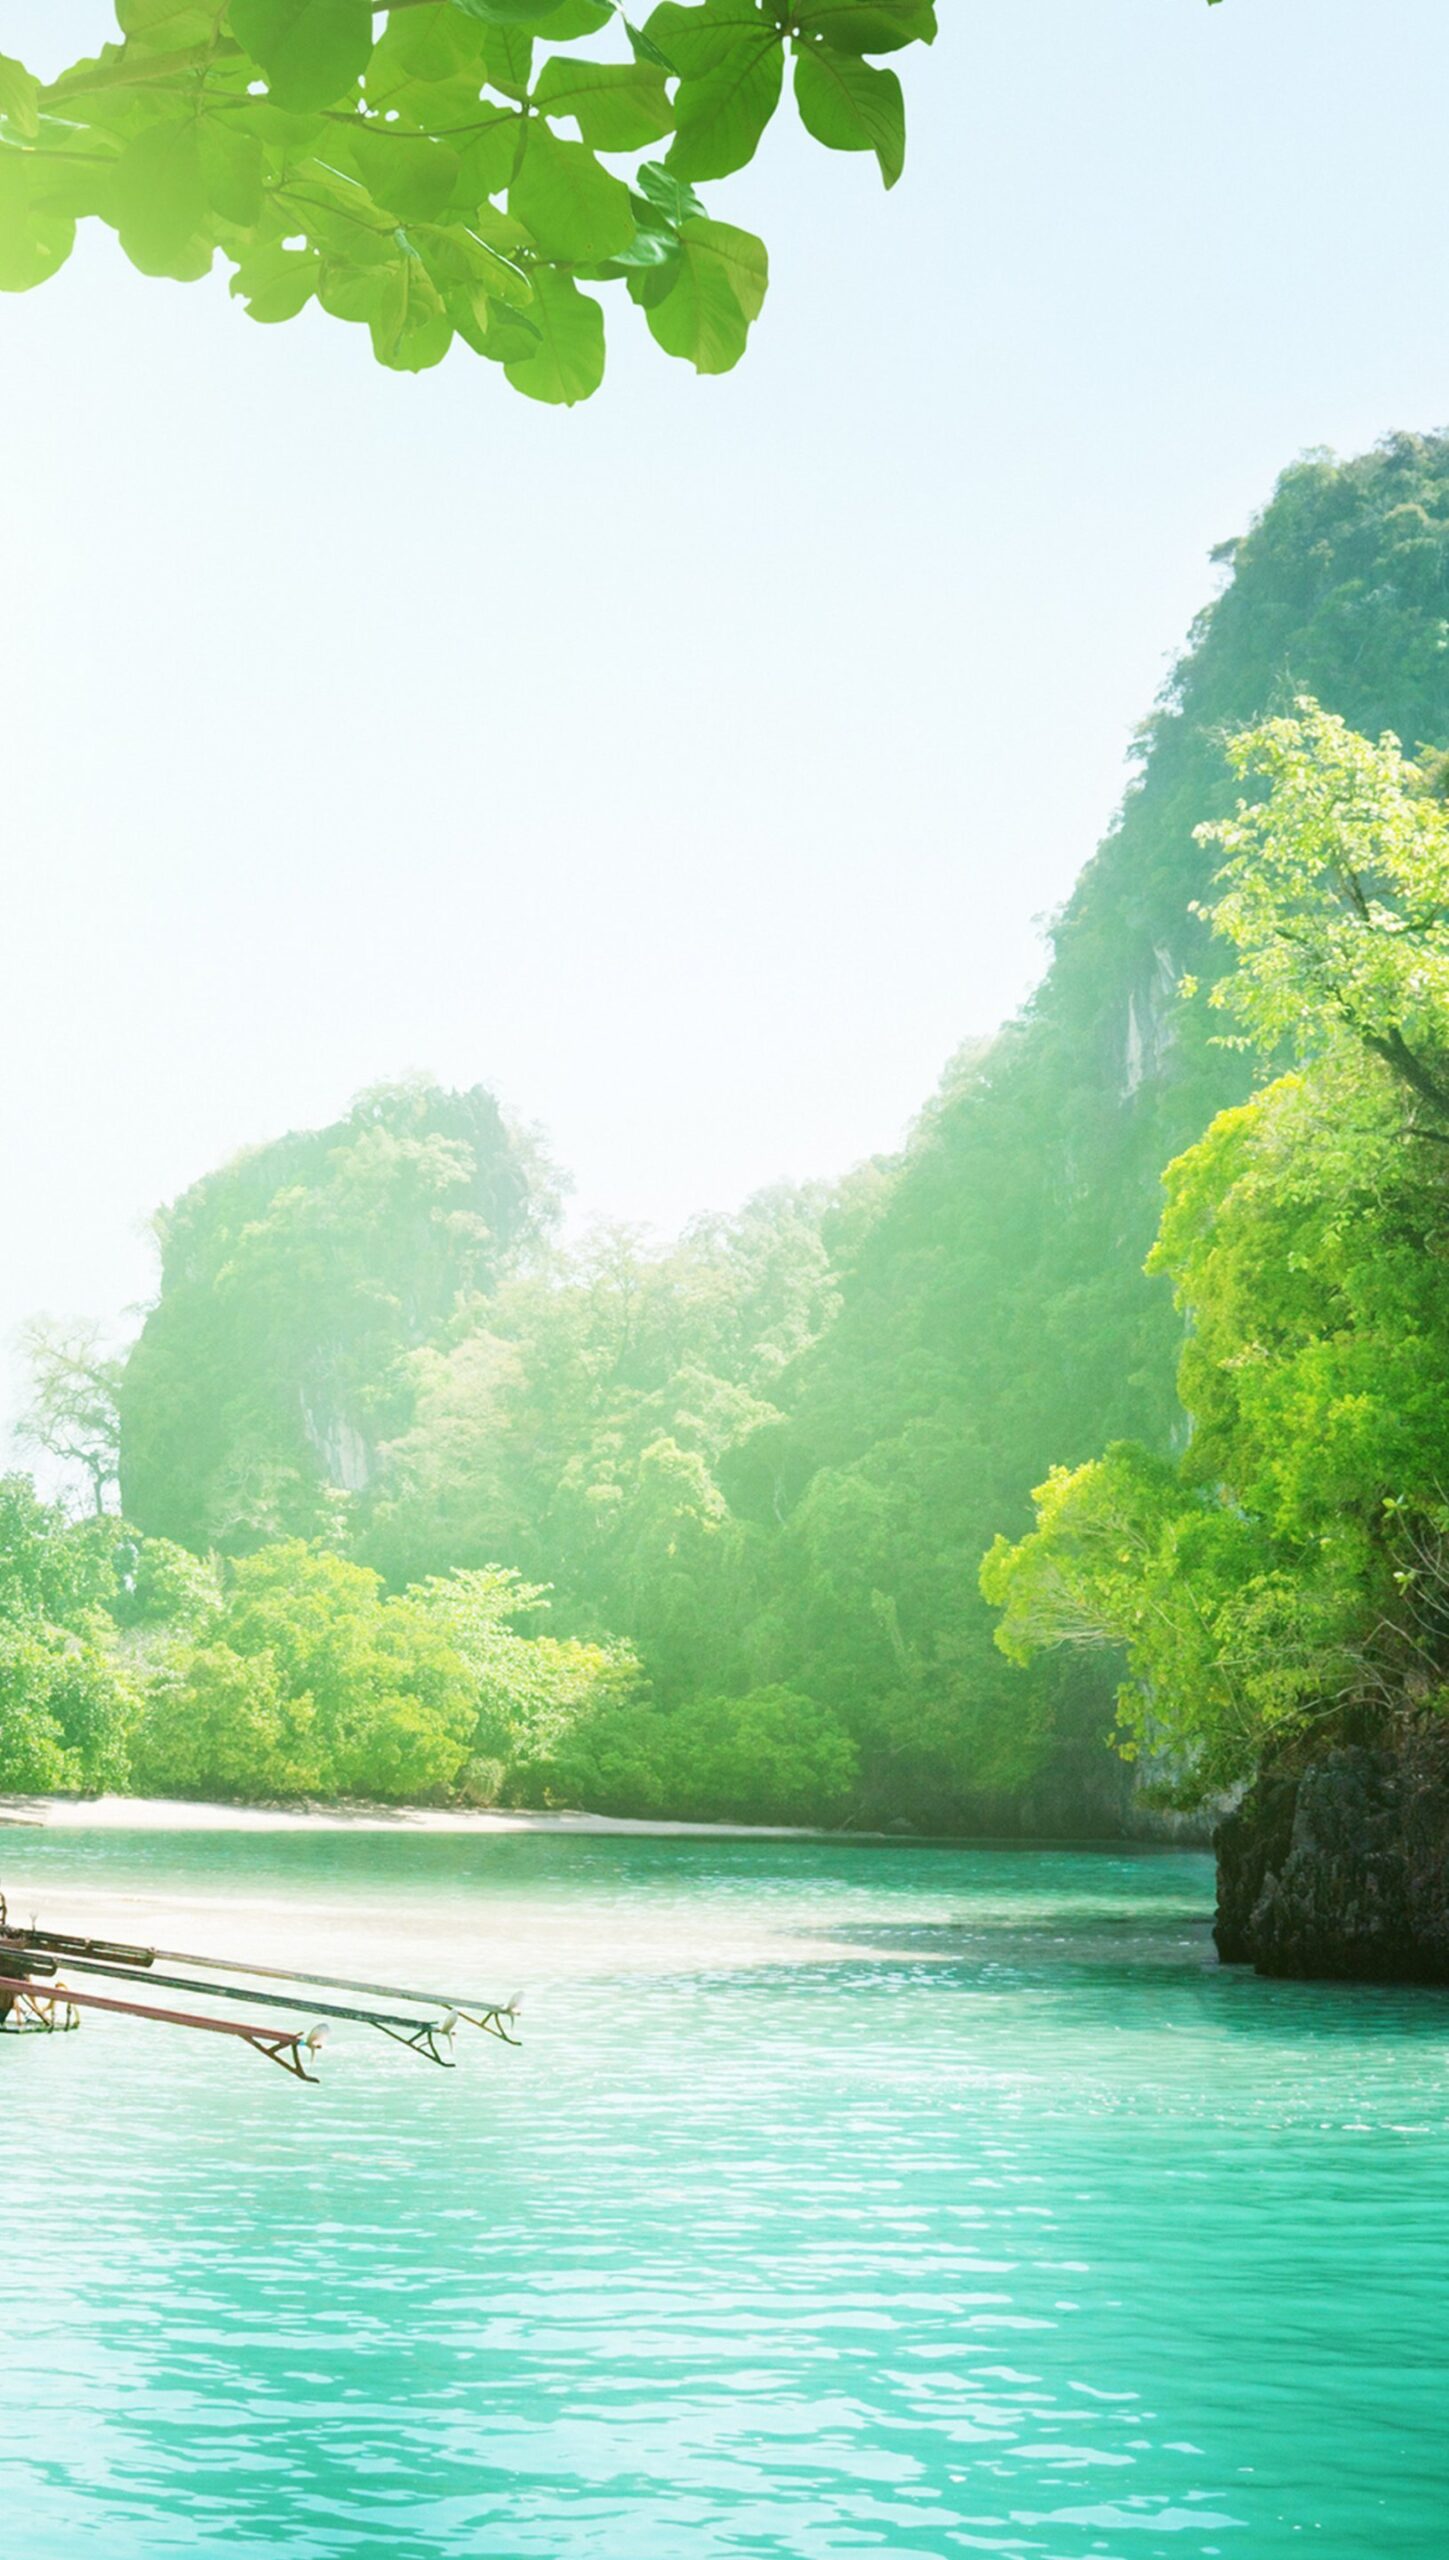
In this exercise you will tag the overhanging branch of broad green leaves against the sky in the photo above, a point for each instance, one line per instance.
(403, 168)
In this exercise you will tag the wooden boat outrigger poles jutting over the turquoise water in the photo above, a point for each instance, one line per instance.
(35, 2001)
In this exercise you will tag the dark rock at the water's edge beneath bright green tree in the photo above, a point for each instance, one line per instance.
(1343, 1870)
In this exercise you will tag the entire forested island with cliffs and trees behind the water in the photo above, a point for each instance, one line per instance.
(401, 1499)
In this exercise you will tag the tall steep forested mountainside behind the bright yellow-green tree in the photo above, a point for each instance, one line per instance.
(995, 1315)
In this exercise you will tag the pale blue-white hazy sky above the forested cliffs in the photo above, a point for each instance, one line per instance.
(692, 767)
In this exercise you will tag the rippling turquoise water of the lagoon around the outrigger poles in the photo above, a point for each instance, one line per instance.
(841, 2203)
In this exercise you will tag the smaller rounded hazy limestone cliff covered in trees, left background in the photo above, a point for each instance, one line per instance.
(293, 1286)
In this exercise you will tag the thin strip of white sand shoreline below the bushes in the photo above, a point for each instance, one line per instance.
(173, 1814)
